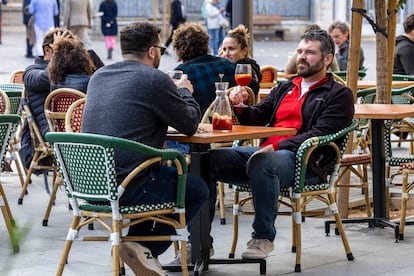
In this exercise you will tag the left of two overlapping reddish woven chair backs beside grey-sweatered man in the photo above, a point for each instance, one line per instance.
(57, 104)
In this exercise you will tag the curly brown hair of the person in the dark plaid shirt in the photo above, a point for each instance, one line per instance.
(190, 41)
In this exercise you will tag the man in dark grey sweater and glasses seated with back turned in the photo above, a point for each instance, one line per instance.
(134, 100)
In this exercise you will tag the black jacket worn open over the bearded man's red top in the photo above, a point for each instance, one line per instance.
(325, 110)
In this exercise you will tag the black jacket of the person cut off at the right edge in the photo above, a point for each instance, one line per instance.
(403, 56)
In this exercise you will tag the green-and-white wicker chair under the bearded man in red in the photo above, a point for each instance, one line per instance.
(300, 195)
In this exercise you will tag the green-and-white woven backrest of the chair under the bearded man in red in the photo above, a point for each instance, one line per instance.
(307, 148)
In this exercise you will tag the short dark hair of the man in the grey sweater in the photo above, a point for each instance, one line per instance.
(137, 38)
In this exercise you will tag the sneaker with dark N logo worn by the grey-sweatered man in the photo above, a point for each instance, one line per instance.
(140, 259)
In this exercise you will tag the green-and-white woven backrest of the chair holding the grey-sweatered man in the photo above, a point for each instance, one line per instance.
(87, 164)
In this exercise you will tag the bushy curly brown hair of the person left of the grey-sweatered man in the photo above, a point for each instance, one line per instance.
(69, 57)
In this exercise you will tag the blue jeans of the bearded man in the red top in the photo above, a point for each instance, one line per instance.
(267, 173)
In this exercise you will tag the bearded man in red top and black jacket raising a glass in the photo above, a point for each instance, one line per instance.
(312, 103)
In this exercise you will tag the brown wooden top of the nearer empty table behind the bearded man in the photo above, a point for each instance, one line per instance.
(383, 111)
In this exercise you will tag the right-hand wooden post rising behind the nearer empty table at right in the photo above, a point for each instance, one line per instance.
(383, 87)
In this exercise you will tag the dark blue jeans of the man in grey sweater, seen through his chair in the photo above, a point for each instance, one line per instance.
(160, 187)
